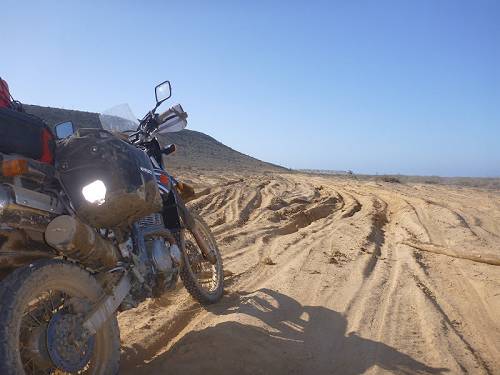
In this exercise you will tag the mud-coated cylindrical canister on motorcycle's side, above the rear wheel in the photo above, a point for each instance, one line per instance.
(79, 241)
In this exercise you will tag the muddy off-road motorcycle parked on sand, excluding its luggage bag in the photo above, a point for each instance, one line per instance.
(99, 232)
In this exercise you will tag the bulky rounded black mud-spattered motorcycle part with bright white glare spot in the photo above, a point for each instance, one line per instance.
(110, 183)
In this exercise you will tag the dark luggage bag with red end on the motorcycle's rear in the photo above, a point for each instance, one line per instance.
(26, 135)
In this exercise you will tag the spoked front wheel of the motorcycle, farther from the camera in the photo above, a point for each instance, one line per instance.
(203, 280)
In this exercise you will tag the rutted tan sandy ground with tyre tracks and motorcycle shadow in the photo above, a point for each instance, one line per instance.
(333, 276)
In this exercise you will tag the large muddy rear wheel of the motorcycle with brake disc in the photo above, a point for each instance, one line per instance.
(41, 320)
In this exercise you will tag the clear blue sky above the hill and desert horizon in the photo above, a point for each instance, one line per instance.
(408, 87)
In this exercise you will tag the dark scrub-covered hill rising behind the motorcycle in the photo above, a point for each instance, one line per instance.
(195, 150)
